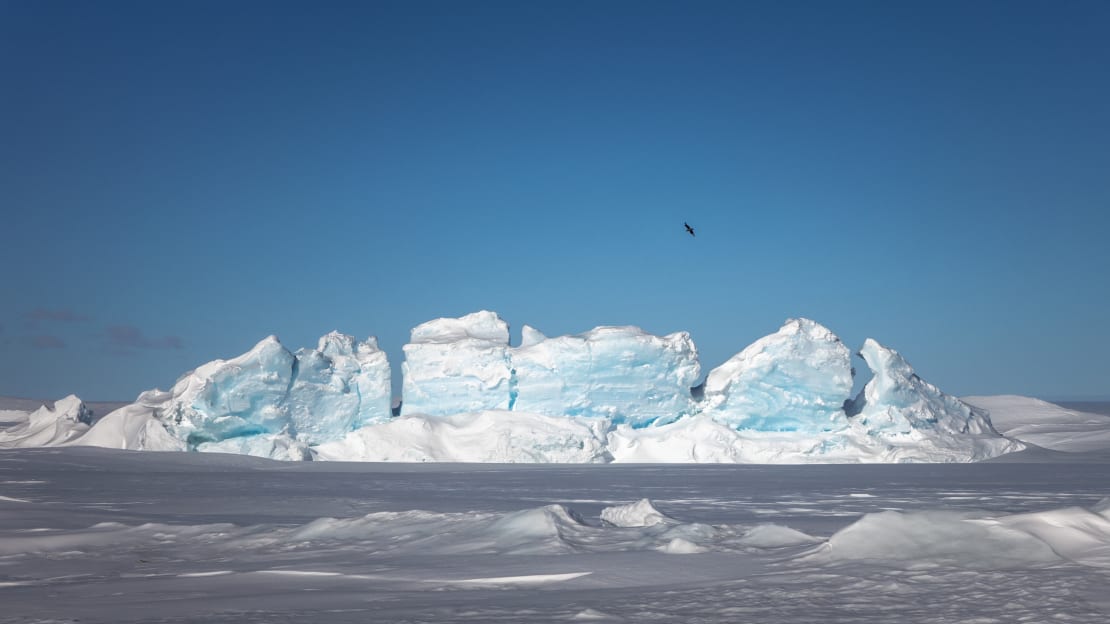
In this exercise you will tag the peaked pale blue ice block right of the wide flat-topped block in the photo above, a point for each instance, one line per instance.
(798, 379)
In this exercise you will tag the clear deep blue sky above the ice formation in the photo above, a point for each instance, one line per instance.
(179, 180)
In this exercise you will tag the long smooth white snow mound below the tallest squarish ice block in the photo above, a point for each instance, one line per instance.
(492, 436)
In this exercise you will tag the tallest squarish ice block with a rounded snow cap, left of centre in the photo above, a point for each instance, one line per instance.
(456, 366)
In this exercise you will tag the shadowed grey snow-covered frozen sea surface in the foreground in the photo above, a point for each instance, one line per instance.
(98, 536)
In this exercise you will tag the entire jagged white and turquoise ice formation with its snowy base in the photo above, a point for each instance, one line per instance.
(613, 394)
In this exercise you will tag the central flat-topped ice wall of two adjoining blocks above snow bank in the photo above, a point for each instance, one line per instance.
(458, 366)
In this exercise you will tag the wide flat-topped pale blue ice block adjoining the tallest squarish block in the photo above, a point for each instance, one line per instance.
(624, 375)
